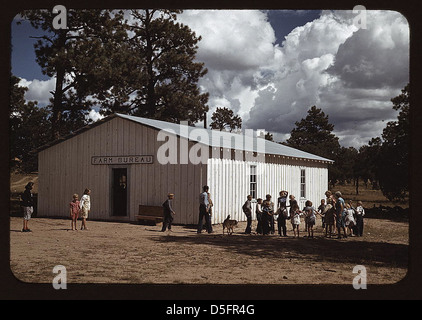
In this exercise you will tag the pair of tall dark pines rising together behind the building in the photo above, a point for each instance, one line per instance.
(138, 62)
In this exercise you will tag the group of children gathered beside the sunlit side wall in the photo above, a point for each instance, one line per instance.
(335, 214)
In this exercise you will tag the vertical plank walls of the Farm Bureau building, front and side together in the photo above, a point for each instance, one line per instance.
(66, 168)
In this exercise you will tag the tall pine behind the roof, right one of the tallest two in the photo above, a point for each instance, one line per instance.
(167, 86)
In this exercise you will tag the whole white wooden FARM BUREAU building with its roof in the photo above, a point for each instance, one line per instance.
(127, 161)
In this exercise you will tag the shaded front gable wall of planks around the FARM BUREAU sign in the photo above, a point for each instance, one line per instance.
(65, 169)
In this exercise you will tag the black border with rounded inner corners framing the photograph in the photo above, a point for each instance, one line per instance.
(260, 295)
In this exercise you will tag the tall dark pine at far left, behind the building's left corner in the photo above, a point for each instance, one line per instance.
(72, 56)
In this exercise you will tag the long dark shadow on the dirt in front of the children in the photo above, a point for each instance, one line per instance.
(319, 249)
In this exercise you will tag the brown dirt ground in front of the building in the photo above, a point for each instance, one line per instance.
(111, 252)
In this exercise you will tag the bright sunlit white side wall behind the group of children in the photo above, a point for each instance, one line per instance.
(231, 177)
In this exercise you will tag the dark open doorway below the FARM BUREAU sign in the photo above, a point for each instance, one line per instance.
(119, 191)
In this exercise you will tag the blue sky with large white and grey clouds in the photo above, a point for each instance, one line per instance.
(270, 67)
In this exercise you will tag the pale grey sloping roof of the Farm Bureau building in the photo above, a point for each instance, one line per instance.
(216, 138)
